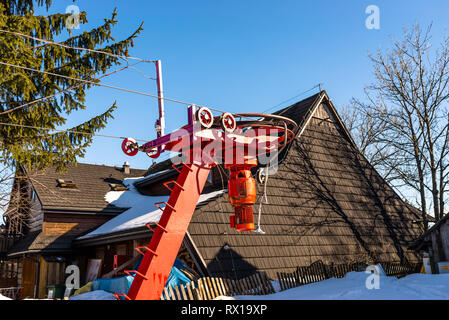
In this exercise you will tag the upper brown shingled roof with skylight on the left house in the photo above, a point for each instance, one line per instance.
(92, 183)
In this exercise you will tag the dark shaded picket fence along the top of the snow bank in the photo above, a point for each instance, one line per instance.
(318, 271)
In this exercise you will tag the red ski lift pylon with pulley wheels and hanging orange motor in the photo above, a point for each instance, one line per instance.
(170, 231)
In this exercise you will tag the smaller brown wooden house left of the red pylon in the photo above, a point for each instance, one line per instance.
(59, 208)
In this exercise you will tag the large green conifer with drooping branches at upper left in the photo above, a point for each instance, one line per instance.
(26, 144)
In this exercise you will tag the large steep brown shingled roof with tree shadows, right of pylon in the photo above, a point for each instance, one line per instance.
(326, 203)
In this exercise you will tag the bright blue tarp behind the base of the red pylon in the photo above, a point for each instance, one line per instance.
(122, 284)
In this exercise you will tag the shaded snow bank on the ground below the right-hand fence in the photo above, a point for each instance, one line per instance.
(353, 287)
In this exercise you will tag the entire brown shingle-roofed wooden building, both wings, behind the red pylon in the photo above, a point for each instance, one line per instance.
(325, 202)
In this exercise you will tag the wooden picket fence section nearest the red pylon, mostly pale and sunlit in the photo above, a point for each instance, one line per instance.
(210, 288)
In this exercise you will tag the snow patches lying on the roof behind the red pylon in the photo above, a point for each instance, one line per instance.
(141, 208)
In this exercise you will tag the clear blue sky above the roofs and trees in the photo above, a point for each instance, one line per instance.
(239, 56)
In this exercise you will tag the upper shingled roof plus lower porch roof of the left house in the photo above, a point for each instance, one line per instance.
(88, 184)
